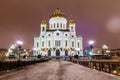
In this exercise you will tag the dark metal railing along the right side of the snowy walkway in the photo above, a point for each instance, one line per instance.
(111, 66)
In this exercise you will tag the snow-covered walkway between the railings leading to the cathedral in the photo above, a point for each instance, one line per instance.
(58, 70)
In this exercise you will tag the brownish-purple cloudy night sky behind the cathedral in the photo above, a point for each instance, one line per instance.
(97, 20)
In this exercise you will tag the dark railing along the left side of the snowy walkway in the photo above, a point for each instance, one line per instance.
(13, 64)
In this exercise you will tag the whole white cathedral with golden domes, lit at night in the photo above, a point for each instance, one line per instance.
(58, 37)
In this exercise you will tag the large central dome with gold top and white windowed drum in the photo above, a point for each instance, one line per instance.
(57, 20)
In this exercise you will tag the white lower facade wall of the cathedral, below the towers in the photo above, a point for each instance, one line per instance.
(72, 44)
